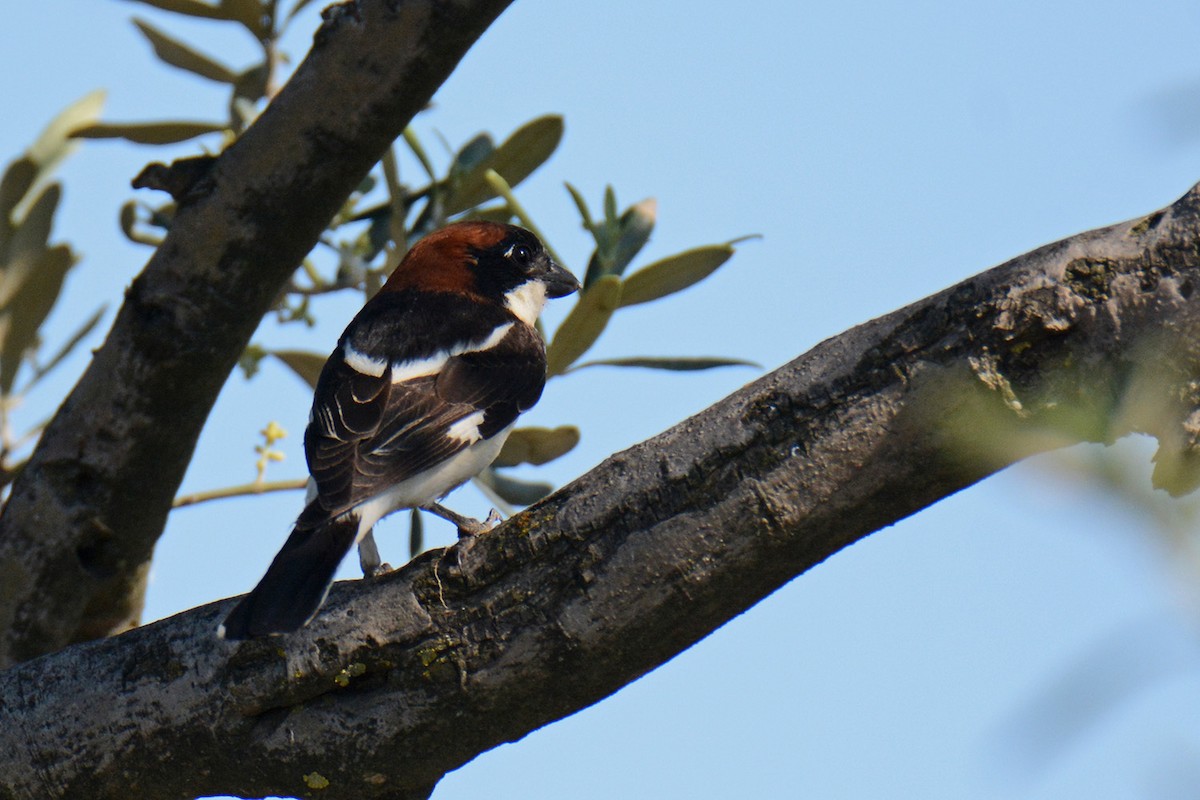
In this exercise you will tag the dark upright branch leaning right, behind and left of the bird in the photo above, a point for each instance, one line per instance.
(82, 521)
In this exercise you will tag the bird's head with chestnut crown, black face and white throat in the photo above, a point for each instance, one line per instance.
(488, 261)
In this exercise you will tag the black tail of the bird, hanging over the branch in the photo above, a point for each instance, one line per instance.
(297, 582)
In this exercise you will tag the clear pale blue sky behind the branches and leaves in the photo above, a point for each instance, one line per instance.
(884, 152)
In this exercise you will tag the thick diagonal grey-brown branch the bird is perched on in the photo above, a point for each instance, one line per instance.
(404, 678)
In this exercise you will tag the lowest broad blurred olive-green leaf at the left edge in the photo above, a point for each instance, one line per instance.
(28, 310)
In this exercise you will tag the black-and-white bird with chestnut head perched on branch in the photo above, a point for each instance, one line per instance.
(417, 399)
